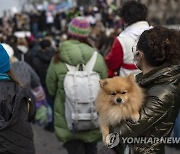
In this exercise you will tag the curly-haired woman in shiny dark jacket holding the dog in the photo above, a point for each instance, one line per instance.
(157, 54)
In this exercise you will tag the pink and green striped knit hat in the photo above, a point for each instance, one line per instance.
(79, 27)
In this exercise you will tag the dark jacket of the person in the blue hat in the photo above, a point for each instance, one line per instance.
(16, 111)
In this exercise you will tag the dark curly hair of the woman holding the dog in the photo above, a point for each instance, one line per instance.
(160, 45)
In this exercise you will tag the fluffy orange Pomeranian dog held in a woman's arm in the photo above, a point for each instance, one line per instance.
(120, 98)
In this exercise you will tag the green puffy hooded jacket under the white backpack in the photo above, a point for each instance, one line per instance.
(71, 52)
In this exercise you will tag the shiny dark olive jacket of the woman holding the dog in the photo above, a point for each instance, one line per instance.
(157, 115)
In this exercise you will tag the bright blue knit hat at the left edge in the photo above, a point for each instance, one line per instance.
(4, 60)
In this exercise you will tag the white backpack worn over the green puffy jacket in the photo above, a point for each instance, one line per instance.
(81, 89)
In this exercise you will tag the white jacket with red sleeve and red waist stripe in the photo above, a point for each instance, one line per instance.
(120, 59)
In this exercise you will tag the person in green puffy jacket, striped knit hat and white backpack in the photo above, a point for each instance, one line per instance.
(76, 62)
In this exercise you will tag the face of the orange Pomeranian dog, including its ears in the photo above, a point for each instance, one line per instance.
(118, 89)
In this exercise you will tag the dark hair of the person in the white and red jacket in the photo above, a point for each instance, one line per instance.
(133, 11)
